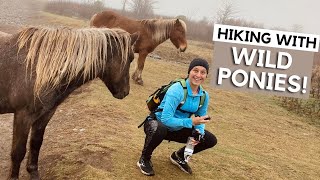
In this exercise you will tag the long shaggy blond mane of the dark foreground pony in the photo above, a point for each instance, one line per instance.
(63, 54)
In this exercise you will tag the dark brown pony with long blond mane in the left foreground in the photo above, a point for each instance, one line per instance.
(40, 67)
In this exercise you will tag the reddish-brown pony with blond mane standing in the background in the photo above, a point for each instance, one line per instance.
(152, 33)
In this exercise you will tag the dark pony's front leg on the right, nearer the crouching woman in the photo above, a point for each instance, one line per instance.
(36, 138)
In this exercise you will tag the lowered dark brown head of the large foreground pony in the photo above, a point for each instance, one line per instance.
(116, 73)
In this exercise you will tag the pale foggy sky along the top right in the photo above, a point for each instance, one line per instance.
(271, 13)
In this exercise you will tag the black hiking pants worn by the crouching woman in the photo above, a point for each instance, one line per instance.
(156, 132)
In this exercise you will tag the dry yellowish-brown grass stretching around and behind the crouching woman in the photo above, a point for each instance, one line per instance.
(256, 138)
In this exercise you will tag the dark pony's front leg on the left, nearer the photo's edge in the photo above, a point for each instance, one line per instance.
(21, 127)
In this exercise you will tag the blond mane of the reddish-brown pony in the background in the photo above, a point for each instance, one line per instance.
(160, 28)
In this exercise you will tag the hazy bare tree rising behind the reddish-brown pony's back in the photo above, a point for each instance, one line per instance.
(142, 8)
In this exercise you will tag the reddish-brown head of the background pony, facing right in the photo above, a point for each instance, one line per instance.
(178, 35)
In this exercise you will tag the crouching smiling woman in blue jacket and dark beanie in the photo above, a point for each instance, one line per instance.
(174, 123)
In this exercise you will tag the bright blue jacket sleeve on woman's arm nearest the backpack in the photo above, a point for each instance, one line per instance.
(172, 99)
